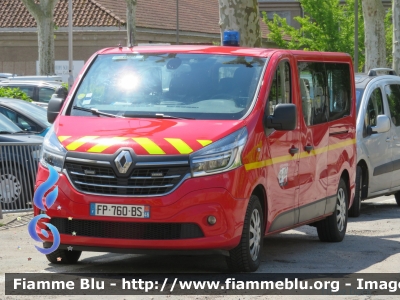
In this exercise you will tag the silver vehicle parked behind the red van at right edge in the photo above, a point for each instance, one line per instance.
(378, 136)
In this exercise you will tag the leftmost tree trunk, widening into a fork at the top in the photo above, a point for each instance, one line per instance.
(42, 12)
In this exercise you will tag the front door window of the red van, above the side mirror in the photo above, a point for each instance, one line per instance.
(281, 87)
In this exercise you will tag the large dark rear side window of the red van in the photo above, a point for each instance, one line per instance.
(325, 91)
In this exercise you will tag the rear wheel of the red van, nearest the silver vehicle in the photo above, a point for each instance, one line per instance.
(333, 228)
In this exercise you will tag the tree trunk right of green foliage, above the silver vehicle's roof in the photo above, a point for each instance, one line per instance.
(375, 45)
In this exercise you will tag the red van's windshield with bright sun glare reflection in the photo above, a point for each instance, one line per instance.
(193, 86)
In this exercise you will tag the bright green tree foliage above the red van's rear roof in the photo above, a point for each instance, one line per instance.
(326, 26)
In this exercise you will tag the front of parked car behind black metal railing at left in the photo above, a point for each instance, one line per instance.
(19, 157)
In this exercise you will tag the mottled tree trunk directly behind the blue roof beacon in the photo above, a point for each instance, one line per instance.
(242, 16)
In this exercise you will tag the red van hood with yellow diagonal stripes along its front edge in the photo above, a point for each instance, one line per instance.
(146, 136)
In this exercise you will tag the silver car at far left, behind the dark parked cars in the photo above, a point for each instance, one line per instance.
(39, 91)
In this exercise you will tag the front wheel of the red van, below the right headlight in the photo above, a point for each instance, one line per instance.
(246, 257)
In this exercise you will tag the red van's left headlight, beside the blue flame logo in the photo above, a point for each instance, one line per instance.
(53, 153)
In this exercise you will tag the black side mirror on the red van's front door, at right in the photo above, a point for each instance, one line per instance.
(284, 117)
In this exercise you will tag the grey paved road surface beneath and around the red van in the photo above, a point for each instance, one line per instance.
(371, 245)
